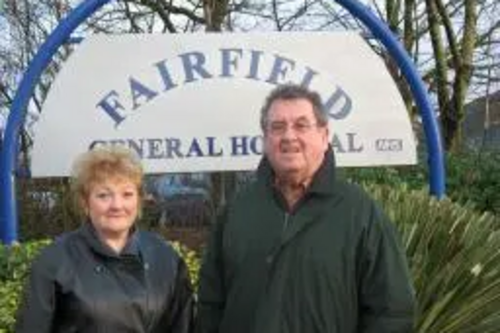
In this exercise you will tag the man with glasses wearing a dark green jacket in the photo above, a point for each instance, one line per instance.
(299, 251)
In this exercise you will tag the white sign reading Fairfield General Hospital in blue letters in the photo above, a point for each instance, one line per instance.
(191, 102)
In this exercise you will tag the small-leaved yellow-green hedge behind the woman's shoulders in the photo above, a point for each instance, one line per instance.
(15, 262)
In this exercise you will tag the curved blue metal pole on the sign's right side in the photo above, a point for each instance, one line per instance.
(429, 120)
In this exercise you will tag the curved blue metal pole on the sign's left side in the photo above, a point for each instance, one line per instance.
(9, 154)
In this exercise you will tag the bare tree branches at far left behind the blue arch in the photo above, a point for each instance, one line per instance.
(26, 25)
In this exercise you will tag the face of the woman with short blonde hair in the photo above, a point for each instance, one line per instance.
(113, 206)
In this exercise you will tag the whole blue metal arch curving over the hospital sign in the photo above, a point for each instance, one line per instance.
(8, 153)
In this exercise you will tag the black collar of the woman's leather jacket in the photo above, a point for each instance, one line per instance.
(89, 234)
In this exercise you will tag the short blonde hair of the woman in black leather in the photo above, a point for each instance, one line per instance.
(104, 163)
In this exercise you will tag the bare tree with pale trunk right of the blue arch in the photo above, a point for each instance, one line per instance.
(458, 32)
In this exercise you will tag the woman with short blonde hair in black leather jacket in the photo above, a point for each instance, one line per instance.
(107, 276)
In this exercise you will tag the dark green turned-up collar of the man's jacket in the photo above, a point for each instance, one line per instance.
(323, 181)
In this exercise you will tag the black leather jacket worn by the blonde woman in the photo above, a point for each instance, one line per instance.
(77, 284)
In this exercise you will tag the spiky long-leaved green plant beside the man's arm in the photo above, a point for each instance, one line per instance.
(454, 258)
